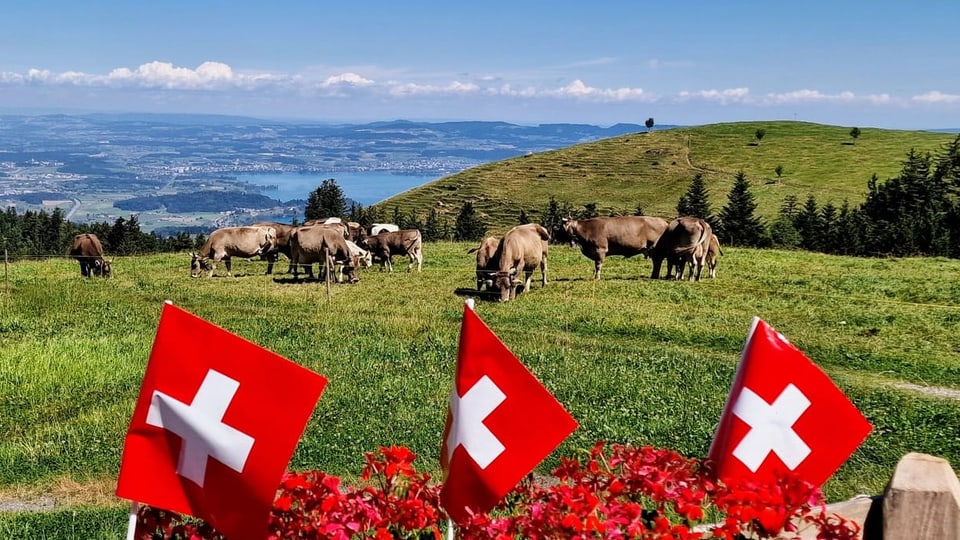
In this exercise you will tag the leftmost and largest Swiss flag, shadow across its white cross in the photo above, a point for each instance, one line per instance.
(215, 425)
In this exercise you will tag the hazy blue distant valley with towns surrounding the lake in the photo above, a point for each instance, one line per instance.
(99, 167)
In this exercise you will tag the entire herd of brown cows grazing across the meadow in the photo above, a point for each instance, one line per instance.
(345, 247)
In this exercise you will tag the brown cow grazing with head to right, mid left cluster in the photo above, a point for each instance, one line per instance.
(324, 245)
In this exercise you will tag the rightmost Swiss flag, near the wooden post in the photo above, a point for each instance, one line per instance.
(784, 414)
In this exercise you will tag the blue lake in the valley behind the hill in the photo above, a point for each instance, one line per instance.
(364, 187)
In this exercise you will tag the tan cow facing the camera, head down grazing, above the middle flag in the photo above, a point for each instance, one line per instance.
(522, 249)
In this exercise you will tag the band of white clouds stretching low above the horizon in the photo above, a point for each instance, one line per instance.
(164, 86)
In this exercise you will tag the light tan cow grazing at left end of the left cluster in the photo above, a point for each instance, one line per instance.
(244, 242)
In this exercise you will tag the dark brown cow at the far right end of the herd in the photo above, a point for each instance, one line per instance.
(686, 240)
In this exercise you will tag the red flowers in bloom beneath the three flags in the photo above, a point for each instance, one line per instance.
(613, 492)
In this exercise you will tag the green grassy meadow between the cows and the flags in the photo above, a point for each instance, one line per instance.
(634, 360)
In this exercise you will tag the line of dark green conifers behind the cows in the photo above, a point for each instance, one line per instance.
(916, 213)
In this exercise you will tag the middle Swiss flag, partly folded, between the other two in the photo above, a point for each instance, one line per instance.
(502, 422)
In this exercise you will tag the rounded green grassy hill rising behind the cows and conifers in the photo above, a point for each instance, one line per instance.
(652, 170)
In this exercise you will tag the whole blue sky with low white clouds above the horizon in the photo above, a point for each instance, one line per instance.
(867, 64)
